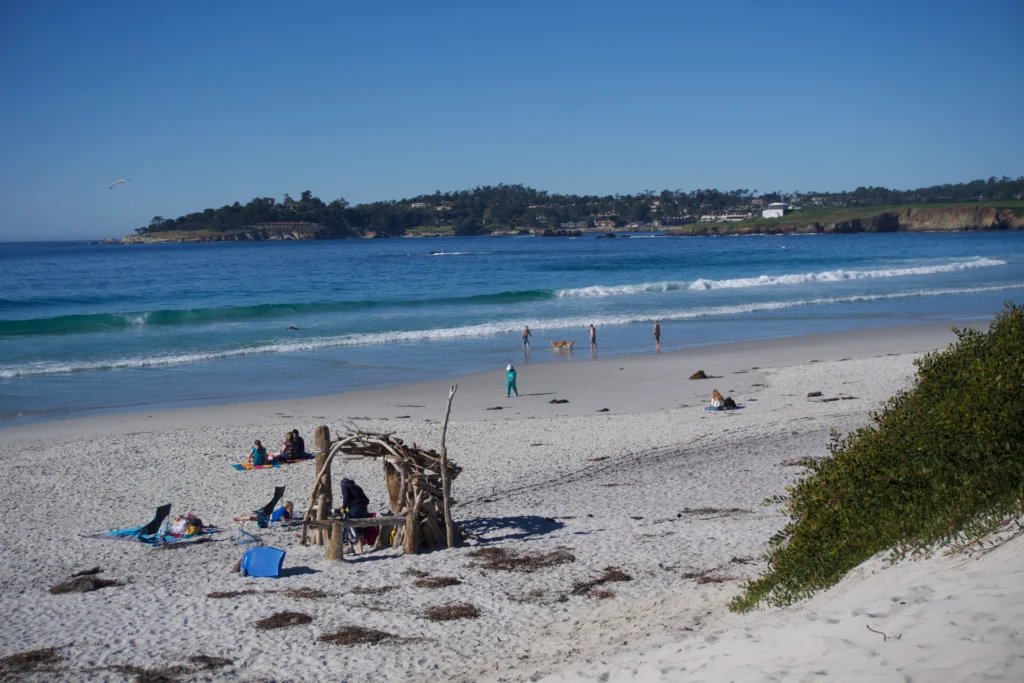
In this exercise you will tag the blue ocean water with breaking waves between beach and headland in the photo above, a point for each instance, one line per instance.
(88, 329)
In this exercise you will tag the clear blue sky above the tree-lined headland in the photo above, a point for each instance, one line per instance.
(204, 104)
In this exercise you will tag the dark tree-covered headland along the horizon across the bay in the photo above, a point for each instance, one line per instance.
(511, 207)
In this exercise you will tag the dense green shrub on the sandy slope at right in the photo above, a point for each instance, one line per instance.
(942, 463)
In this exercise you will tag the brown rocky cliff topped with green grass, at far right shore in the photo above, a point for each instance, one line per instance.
(953, 219)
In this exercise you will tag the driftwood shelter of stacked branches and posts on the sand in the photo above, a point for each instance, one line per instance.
(419, 485)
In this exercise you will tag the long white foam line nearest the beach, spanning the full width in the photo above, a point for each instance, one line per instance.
(483, 330)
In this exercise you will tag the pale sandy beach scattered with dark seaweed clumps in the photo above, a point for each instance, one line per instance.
(655, 487)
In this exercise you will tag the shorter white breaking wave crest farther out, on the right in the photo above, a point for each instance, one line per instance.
(769, 281)
